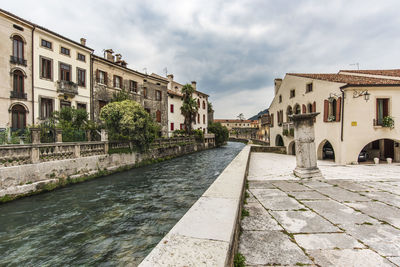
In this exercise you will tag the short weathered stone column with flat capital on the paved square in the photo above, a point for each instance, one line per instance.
(306, 156)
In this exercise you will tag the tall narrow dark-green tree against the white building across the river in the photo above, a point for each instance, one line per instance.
(189, 107)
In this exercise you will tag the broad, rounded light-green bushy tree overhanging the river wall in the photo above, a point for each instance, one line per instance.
(127, 120)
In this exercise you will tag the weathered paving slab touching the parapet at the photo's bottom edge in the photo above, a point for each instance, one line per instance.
(270, 248)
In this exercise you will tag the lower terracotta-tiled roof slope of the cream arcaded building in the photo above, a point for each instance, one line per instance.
(347, 79)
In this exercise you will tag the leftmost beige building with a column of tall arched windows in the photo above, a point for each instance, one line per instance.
(16, 88)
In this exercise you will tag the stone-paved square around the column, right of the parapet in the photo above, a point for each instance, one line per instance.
(351, 221)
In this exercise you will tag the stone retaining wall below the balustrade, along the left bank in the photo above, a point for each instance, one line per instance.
(29, 178)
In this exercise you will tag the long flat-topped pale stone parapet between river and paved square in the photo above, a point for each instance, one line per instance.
(207, 234)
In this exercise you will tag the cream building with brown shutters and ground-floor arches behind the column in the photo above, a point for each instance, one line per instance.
(354, 107)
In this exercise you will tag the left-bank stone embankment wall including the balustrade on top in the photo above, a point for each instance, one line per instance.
(58, 163)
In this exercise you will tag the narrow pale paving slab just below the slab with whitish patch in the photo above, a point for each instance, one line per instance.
(327, 241)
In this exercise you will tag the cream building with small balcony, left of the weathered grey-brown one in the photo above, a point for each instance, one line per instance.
(61, 73)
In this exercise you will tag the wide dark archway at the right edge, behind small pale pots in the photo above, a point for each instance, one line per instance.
(382, 149)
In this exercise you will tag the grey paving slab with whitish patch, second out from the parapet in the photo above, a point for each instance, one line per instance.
(303, 222)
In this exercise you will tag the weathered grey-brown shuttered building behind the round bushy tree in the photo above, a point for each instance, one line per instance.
(111, 75)
